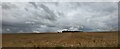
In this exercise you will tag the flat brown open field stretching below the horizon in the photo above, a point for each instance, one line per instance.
(69, 39)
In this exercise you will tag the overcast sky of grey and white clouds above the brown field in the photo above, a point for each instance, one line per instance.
(55, 16)
